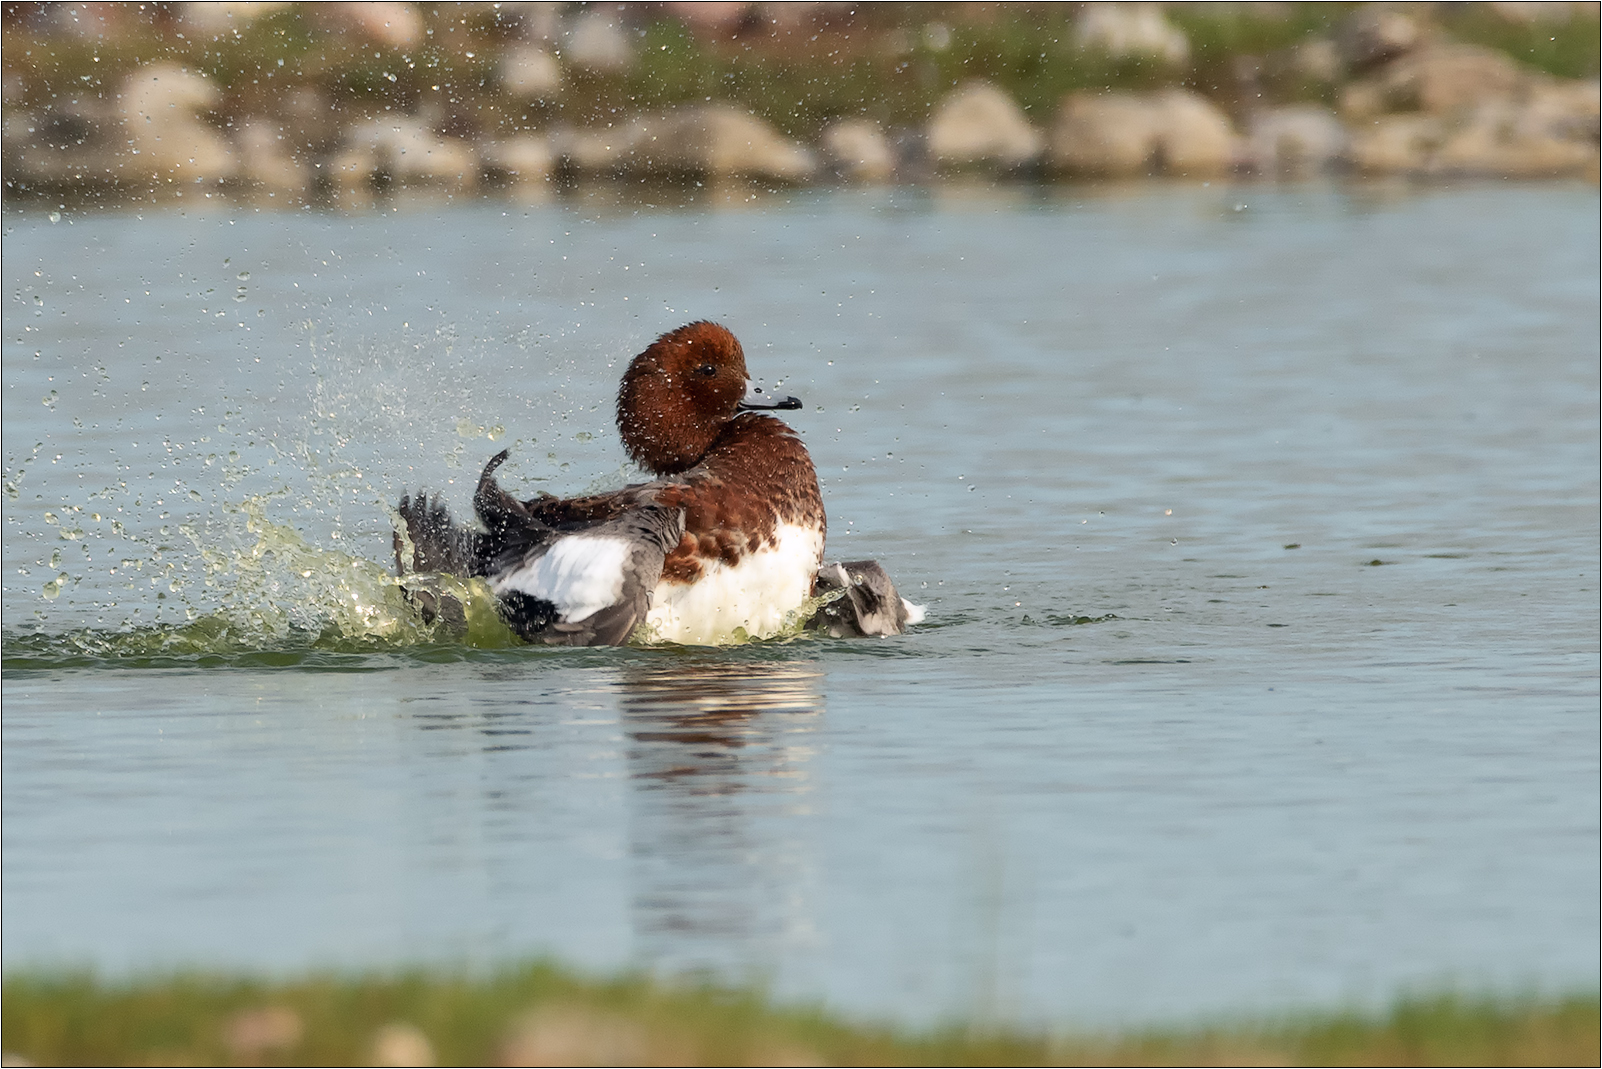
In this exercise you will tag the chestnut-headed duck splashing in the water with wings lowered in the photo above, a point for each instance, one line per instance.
(723, 544)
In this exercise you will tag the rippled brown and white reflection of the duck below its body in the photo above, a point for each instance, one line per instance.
(722, 865)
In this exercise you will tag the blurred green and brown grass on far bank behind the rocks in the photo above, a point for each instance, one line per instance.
(795, 68)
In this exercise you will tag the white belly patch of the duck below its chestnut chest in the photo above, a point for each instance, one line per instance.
(754, 595)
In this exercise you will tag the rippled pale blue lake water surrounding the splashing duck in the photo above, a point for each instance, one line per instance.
(1258, 530)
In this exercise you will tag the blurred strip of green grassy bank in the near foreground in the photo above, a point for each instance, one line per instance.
(542, 1015)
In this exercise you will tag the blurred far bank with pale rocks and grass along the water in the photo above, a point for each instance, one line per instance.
(292, 105)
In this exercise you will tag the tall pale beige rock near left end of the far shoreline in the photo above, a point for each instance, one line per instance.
(161, 108)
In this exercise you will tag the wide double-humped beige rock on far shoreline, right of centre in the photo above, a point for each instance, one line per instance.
(1173, 132)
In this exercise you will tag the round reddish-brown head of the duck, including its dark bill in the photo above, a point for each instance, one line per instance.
(680, 393)
